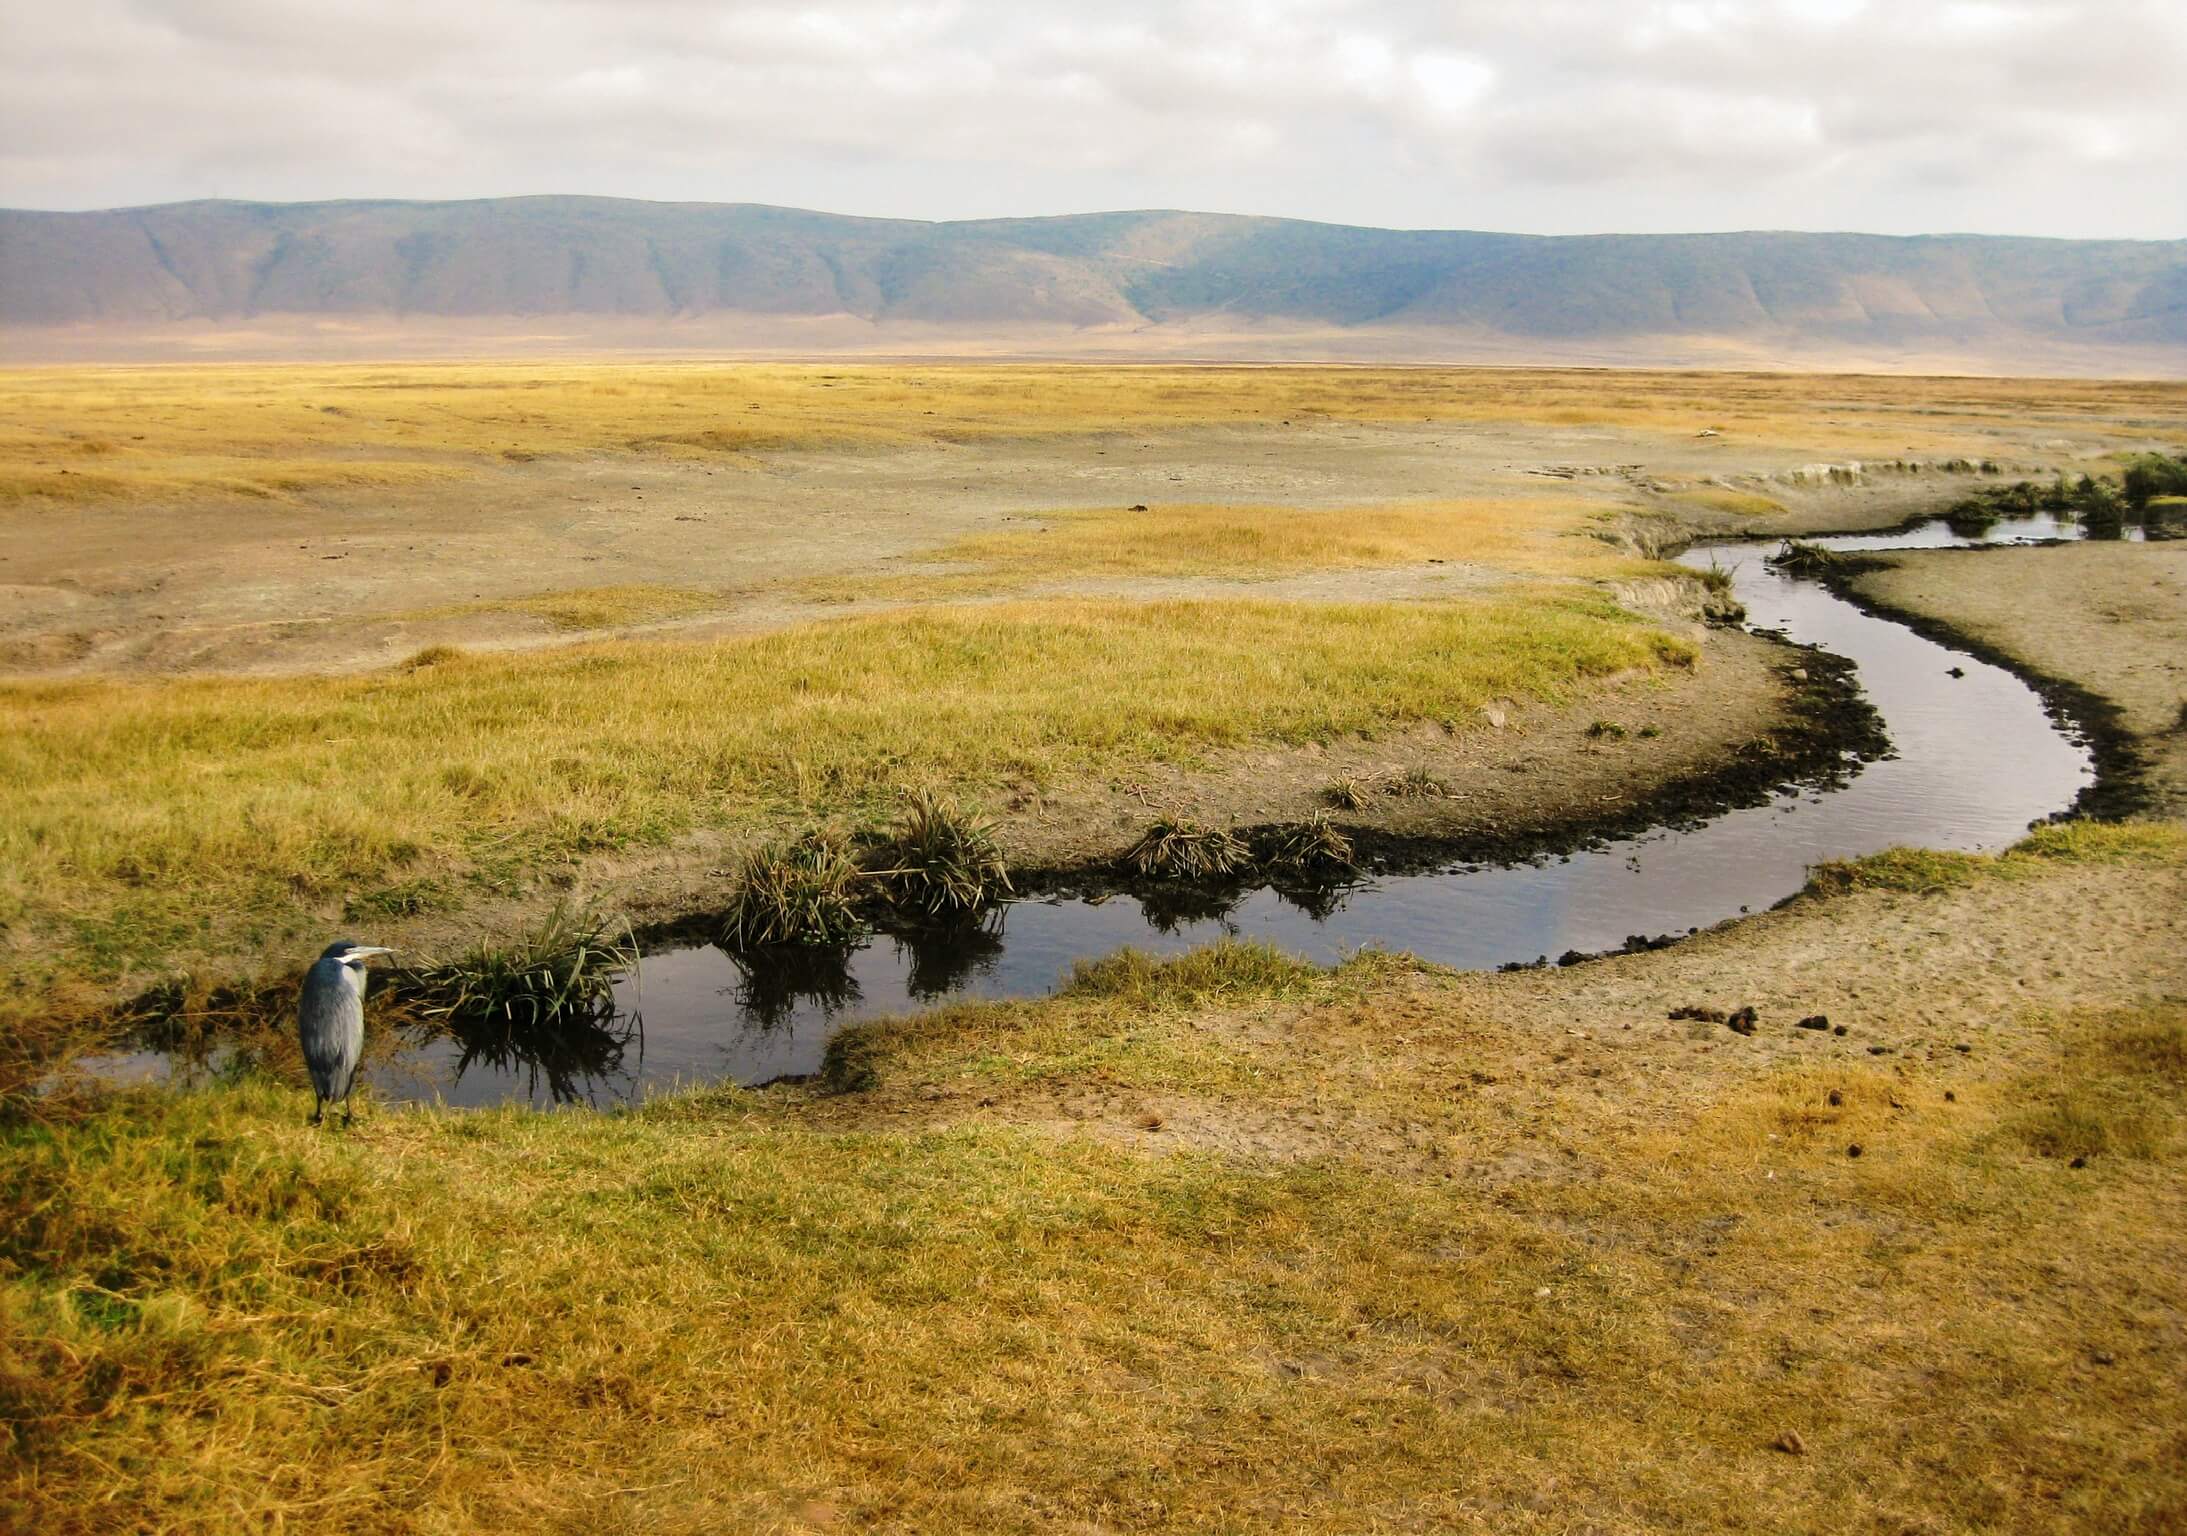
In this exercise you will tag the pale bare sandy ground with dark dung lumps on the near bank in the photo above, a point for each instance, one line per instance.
(1939, 990)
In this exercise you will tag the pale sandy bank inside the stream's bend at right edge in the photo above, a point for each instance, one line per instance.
(2107, 616)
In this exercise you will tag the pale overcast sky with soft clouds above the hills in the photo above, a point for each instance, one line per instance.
(2020, 117)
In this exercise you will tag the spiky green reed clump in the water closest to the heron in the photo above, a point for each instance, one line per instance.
(565, 968)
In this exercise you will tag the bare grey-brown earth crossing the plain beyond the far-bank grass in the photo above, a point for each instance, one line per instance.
(342, 581)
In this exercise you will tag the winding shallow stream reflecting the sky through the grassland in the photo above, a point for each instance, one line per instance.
(1976, 758)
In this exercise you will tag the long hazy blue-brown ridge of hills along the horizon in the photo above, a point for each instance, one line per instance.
(565, 270)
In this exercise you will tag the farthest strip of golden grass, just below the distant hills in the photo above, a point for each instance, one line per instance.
(178, 432)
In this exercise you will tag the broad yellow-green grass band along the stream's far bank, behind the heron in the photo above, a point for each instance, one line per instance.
(150, 822)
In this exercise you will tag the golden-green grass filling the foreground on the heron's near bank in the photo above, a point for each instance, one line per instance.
(795, 1312)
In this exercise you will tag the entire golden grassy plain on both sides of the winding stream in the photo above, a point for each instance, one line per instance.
(1213, 1244)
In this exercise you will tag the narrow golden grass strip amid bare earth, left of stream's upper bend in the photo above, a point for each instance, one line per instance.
(1517, 535)
